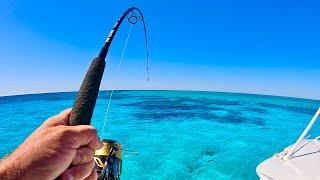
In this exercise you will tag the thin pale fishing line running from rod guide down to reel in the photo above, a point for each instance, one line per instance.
(116, 77)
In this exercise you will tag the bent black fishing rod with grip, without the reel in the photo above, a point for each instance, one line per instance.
(86, 98)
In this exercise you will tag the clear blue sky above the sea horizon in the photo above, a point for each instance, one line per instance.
(263, 47)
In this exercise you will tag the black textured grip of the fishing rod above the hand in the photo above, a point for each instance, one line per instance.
(86, 98)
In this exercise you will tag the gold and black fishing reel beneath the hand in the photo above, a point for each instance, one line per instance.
(108, 160)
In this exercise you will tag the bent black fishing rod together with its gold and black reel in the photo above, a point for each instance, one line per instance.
(108, 159)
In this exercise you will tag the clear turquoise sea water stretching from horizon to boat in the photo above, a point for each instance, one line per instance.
(177, 134)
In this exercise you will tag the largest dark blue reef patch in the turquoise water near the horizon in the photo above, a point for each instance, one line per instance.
(160, 109)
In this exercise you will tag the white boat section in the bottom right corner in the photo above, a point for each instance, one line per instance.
(304, 164)
